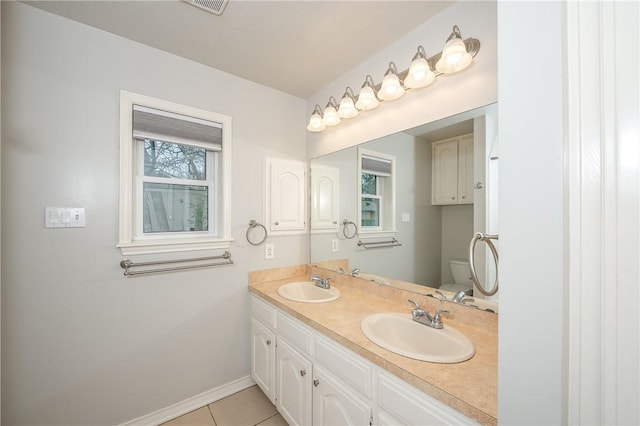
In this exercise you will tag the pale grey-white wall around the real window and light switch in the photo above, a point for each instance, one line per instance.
(81, 344)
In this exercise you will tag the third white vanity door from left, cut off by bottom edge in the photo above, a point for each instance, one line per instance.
(334, 404)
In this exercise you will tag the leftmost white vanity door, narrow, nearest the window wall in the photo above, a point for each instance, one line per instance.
(263, 344)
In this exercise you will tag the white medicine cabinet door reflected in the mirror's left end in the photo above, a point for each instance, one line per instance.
(325, 196)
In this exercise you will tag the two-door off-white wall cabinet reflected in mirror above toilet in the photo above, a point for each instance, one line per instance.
(452, 171)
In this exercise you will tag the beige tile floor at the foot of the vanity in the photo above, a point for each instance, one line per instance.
(249, 407)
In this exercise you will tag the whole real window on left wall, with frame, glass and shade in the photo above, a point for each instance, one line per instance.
(174, 177)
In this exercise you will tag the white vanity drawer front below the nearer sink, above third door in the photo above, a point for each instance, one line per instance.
(343, 363)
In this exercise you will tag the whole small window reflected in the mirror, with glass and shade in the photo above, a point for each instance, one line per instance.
(376, 193)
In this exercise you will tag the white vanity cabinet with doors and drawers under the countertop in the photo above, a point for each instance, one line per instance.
(320, 382)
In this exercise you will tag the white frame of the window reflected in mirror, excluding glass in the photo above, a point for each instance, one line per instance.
(385, 192)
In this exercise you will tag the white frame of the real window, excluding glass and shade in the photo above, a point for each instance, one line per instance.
(131, 238)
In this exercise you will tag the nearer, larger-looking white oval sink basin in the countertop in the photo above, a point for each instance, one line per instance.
(400, 334)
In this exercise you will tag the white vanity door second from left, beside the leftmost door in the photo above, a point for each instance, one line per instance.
(293, 385)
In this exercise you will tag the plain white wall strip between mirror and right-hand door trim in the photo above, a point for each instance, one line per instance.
(533, 306)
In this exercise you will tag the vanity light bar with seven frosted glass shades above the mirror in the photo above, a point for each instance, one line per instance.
(456, 56)
